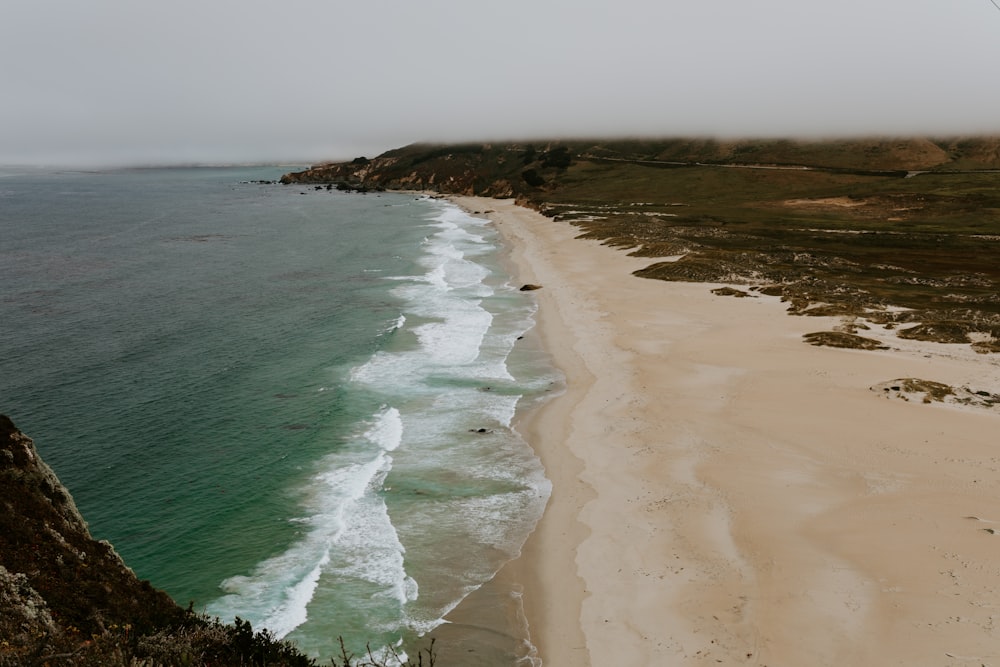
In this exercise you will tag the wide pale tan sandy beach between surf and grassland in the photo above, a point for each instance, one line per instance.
(724, 493)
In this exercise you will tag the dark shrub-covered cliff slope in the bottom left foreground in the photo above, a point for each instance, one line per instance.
(68, 599)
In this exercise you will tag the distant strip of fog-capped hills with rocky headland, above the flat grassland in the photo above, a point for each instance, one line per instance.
(530, 169)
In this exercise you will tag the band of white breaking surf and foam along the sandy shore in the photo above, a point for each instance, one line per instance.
(435, 488)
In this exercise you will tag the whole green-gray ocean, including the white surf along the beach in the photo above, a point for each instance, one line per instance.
(280, 403)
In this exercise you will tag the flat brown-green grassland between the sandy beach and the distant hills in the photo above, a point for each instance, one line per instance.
(927, 243)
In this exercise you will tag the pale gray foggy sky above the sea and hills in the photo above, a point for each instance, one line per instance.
(136, 81)
